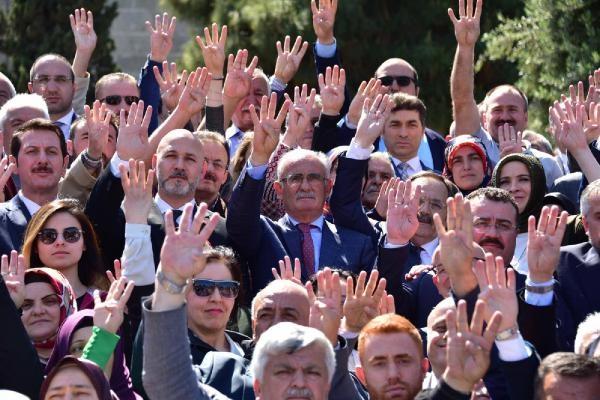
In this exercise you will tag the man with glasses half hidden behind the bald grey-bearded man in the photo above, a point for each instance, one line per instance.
(216, 156)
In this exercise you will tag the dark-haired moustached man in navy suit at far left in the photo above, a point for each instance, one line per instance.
(41, 157)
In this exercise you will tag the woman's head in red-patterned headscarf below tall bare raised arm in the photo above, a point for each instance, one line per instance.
(466, 163)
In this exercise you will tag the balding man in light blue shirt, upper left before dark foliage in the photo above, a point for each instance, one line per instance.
(52, 77)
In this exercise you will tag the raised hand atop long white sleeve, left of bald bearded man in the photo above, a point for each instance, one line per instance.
(138, 191)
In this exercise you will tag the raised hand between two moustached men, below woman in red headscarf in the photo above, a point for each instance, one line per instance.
(456, 239)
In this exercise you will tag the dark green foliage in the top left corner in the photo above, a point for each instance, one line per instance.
(35, 27)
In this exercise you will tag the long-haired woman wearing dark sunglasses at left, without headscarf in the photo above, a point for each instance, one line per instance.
(60, 236)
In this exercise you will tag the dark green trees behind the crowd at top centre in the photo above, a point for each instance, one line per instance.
(368, 32)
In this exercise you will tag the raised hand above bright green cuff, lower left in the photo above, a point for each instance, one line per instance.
(108, 314)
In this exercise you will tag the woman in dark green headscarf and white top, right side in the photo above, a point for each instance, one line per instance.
(523, 177)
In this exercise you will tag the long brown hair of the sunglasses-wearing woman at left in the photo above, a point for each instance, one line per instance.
(90, 269)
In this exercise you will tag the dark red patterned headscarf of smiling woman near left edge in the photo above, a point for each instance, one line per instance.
(63, 290)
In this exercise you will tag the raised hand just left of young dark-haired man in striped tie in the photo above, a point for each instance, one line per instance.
(372, 120)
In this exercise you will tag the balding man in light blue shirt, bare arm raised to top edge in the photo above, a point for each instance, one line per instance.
(504, 107)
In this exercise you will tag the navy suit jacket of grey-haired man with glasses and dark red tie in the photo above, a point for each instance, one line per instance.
(263, 242)
